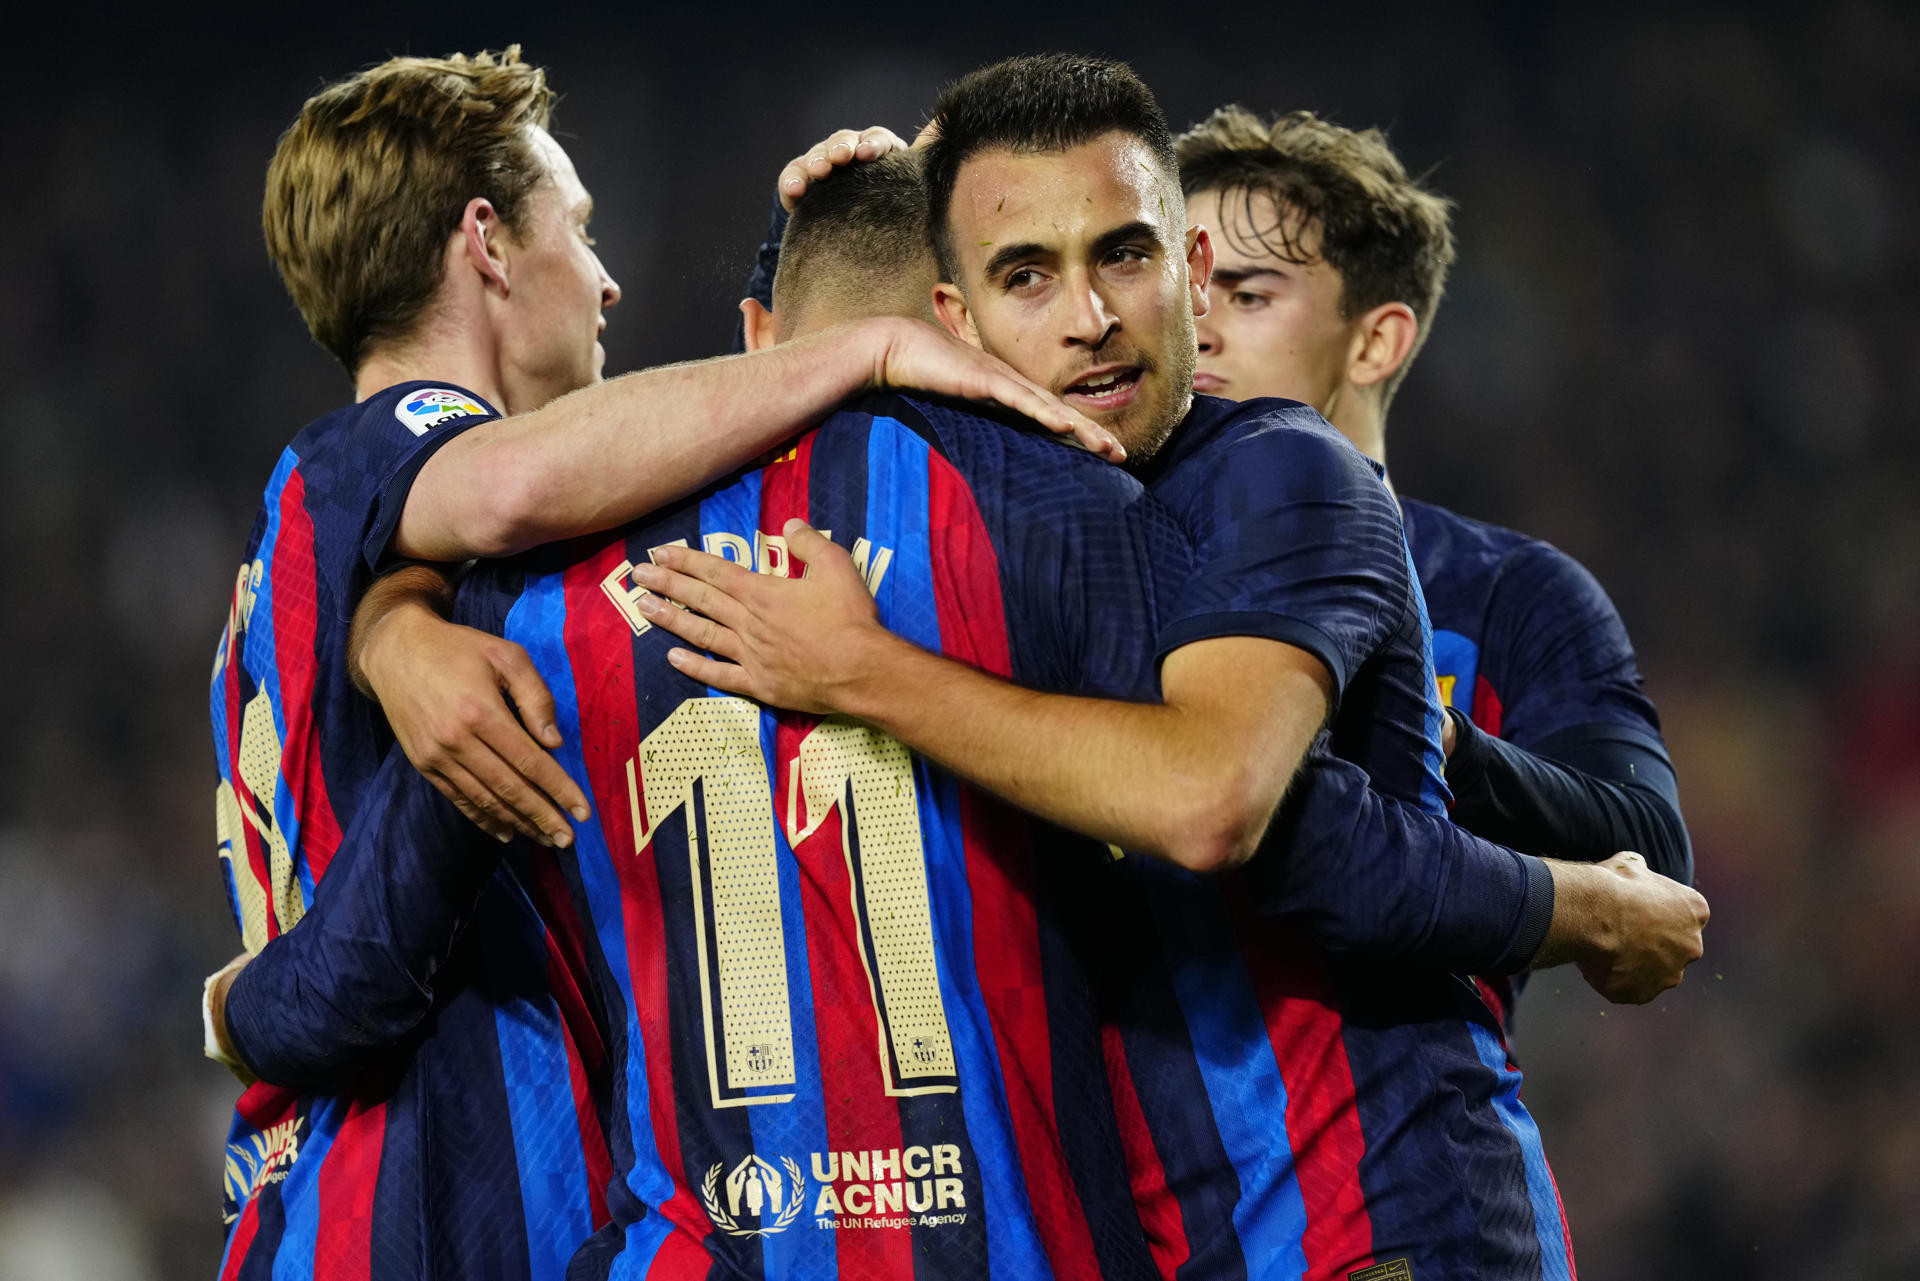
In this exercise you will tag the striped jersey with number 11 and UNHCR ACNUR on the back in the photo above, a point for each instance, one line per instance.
(848, 1019)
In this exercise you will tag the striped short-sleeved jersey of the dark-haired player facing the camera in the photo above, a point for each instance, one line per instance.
(1293, 1113)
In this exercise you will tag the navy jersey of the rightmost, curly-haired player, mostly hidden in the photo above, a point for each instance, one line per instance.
(1533, 650)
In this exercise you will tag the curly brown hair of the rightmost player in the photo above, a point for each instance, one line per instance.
(1389, 239)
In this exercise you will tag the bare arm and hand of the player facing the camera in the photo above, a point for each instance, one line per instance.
(1191, 781)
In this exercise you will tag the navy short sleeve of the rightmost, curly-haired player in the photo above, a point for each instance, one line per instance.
(1560, 654)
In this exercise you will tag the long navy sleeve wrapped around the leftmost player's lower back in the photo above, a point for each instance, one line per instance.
(356, 977)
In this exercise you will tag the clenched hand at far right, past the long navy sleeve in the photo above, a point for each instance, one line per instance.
(1641, 931)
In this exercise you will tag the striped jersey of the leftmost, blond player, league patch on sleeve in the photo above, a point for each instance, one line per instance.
(350, 1180)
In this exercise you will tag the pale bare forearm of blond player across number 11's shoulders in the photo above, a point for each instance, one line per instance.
(623, 448)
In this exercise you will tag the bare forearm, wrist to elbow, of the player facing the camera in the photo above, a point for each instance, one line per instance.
(1157, 779)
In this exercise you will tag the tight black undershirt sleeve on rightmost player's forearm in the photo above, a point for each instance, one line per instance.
(1587, 796)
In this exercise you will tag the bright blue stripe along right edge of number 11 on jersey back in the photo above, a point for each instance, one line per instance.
(898, 518)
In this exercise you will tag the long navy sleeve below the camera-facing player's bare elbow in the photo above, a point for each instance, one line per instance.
(1372, 877)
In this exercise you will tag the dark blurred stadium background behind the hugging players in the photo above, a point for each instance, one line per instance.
(1683, 343)
